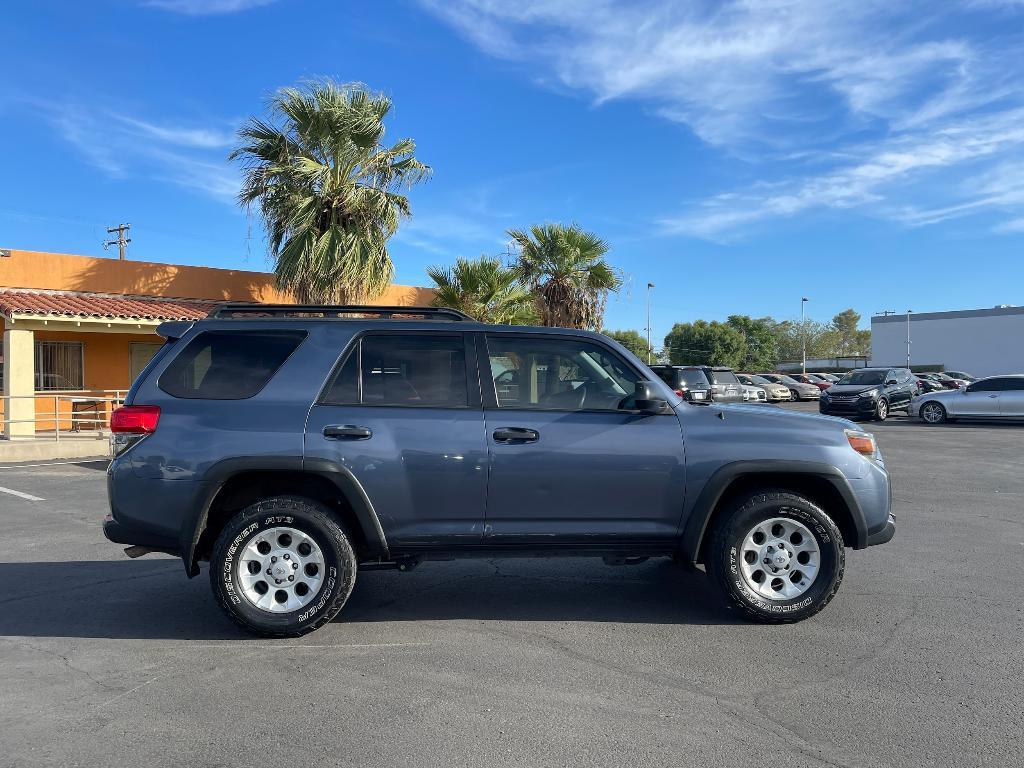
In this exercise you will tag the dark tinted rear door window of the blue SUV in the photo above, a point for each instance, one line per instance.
(411, 370)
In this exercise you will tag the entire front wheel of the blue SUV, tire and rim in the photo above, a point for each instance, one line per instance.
(778, 557)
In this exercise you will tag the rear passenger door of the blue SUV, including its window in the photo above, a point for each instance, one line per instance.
(402, 417)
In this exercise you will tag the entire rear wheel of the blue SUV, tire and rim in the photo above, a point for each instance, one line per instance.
(283, 568)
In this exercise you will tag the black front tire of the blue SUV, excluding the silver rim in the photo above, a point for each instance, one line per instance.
(722, 558)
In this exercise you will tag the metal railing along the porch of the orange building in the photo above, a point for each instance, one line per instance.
(88, 411)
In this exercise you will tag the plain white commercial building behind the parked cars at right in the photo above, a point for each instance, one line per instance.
(983, 343)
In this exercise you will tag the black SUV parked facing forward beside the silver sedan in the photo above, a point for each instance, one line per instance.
(870, 394)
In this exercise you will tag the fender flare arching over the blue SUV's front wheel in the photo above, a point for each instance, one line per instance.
(698, 518)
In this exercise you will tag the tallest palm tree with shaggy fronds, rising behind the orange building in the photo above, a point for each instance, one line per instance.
(328, 190)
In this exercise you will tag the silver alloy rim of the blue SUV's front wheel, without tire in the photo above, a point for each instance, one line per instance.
(780, 559)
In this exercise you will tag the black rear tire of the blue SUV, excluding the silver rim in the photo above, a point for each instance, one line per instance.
(314, 520)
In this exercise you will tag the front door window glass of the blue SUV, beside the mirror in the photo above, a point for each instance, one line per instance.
(559, 374)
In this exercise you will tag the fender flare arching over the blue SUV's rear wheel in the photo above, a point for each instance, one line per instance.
(221, 474)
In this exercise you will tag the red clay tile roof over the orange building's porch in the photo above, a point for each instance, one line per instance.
(69, 305)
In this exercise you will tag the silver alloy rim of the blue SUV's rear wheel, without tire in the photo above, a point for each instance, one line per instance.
(281, 570)
